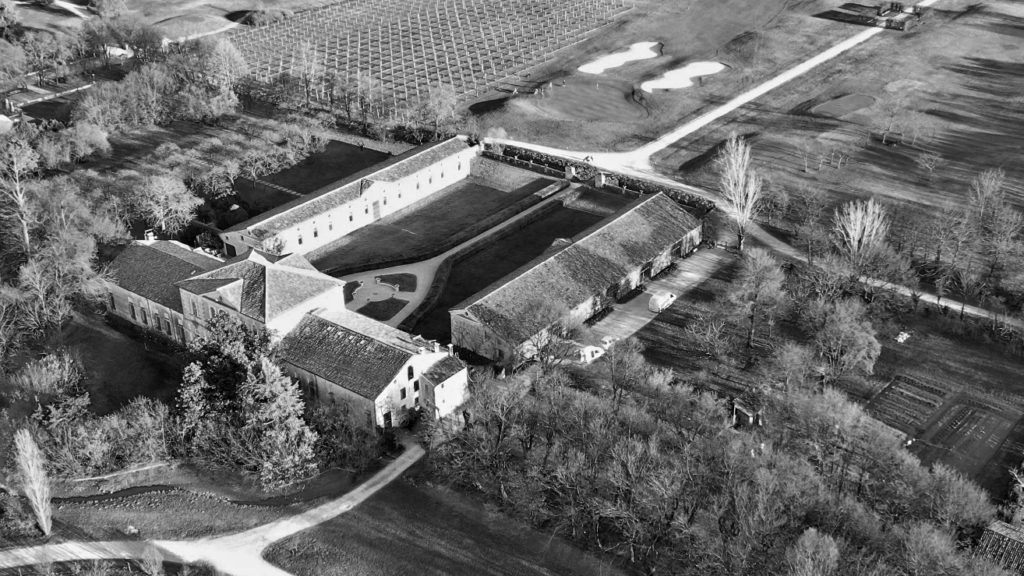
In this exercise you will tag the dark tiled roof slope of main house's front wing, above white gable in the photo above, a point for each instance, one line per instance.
(356, 362)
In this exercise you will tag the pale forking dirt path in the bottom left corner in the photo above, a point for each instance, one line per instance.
(236, 555)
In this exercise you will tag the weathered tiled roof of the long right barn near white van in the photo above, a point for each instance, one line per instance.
(572, 273)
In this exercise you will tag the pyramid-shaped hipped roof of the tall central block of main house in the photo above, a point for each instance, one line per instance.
(271, 285)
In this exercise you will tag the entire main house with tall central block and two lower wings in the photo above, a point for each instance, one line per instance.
(339, 356)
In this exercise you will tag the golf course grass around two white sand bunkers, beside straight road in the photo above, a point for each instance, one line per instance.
(755, 40)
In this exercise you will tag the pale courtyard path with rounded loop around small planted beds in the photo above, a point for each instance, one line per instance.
(425, 270)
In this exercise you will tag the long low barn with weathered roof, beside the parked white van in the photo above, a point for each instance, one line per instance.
(580, 276)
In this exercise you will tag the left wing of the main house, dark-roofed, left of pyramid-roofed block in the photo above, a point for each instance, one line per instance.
(144, 292)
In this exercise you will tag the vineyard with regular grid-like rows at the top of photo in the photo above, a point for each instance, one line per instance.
(410, 46)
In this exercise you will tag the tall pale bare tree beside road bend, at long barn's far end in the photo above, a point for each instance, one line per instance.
(740, 185)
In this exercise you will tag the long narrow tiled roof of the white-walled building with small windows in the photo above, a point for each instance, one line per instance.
(346, 191)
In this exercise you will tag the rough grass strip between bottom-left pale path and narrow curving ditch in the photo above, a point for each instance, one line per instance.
(169, 515)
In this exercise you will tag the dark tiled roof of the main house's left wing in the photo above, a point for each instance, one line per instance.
(151, 269)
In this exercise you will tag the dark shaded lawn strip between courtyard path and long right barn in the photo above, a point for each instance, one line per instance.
(506, 255)
